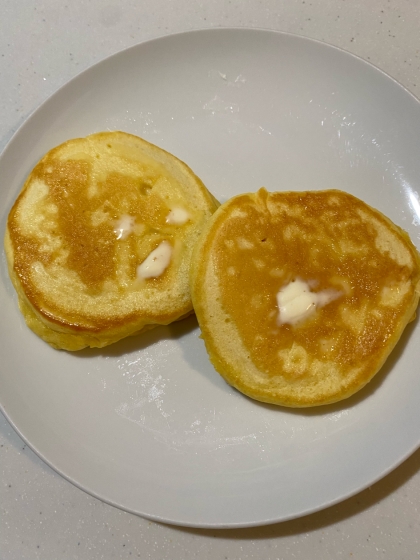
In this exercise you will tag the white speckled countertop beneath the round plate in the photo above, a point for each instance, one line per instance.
(42, 46)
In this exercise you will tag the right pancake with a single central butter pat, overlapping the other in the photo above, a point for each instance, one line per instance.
(301, 296)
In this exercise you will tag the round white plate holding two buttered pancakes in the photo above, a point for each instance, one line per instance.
(147, 424)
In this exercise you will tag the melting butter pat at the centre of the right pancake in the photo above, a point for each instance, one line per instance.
(297, 302)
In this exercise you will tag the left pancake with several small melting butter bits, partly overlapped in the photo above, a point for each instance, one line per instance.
(99, 240)
